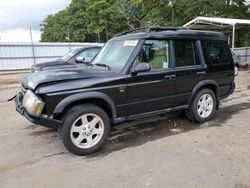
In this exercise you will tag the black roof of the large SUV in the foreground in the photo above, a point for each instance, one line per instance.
(180, 33)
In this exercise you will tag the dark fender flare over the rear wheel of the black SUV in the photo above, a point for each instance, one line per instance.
(204, 83)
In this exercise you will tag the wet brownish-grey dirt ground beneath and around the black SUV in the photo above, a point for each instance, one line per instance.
(162, 151)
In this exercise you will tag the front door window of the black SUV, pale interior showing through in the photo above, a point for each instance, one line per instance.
(156, 53)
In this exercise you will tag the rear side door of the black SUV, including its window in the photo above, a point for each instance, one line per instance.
(189, 67)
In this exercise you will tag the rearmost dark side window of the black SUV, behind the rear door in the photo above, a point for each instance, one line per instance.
(217, 52)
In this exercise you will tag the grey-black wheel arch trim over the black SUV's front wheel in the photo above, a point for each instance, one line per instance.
(97, 98)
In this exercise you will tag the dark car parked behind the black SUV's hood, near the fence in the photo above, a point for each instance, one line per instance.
(80, 56)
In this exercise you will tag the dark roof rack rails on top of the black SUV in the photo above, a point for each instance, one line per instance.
(152, 29)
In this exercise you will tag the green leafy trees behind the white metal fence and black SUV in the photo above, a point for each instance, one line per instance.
(94, 20)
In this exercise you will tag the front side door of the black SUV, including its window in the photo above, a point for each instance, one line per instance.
(152, 90)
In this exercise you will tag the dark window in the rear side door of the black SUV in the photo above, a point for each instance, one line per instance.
(185, 53)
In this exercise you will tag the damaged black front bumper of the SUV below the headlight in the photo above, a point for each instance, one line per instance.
(44, 121)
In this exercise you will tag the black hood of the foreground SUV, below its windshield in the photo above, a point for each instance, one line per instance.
(31, 81)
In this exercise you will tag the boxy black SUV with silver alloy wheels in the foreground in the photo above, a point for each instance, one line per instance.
(134, 75)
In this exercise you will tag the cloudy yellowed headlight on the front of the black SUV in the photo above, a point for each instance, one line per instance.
(32, 103)
